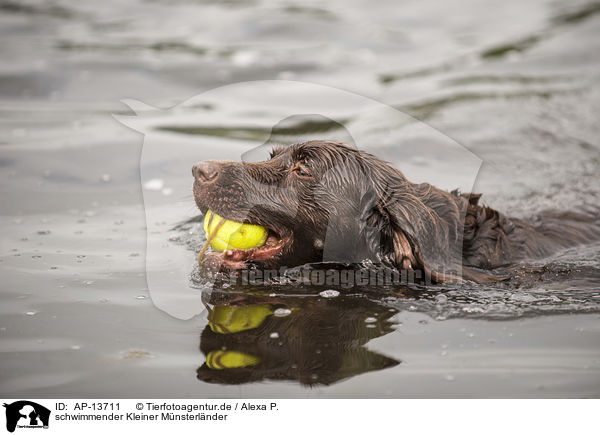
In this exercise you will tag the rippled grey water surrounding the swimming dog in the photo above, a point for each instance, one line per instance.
(516, 84)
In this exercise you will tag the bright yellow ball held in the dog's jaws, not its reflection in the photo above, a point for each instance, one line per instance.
(233, 235)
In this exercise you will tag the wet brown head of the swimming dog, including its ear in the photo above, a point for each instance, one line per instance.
(326, 201)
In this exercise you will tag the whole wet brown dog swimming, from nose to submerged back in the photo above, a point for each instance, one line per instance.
(325, 201)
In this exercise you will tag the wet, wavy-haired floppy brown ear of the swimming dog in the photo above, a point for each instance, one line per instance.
(416, 226)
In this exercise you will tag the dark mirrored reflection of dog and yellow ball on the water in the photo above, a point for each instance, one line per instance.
(316, 341)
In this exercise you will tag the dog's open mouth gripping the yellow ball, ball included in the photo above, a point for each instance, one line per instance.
(217, 253)
